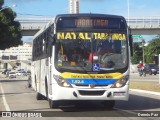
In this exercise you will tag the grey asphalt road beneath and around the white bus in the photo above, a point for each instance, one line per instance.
(16, 96)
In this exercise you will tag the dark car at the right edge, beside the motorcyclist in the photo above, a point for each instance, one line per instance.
(151, 69)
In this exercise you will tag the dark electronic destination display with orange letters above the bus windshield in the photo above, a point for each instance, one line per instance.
(93, 23)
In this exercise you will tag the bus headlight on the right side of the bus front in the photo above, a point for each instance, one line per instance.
(121, 82)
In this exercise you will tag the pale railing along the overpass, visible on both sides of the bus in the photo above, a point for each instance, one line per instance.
(134, 21)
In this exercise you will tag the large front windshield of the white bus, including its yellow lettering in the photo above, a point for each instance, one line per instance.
(91, 51)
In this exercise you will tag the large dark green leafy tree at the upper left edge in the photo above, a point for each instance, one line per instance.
(10, 32)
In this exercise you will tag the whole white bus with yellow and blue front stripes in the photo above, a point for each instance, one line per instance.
(82, 57)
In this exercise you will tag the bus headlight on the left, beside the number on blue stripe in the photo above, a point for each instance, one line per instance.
(61, 81)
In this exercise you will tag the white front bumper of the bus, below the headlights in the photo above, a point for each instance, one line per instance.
(63, 93)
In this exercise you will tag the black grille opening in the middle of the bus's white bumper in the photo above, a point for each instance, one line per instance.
(91, 93)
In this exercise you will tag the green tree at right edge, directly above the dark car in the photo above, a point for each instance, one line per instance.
(152, 49)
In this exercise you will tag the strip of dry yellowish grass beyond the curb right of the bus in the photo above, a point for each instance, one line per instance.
(149, 86)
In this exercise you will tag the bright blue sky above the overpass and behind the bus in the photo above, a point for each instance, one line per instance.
(117, 7)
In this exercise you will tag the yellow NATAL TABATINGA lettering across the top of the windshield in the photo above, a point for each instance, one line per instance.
(87, 36)
